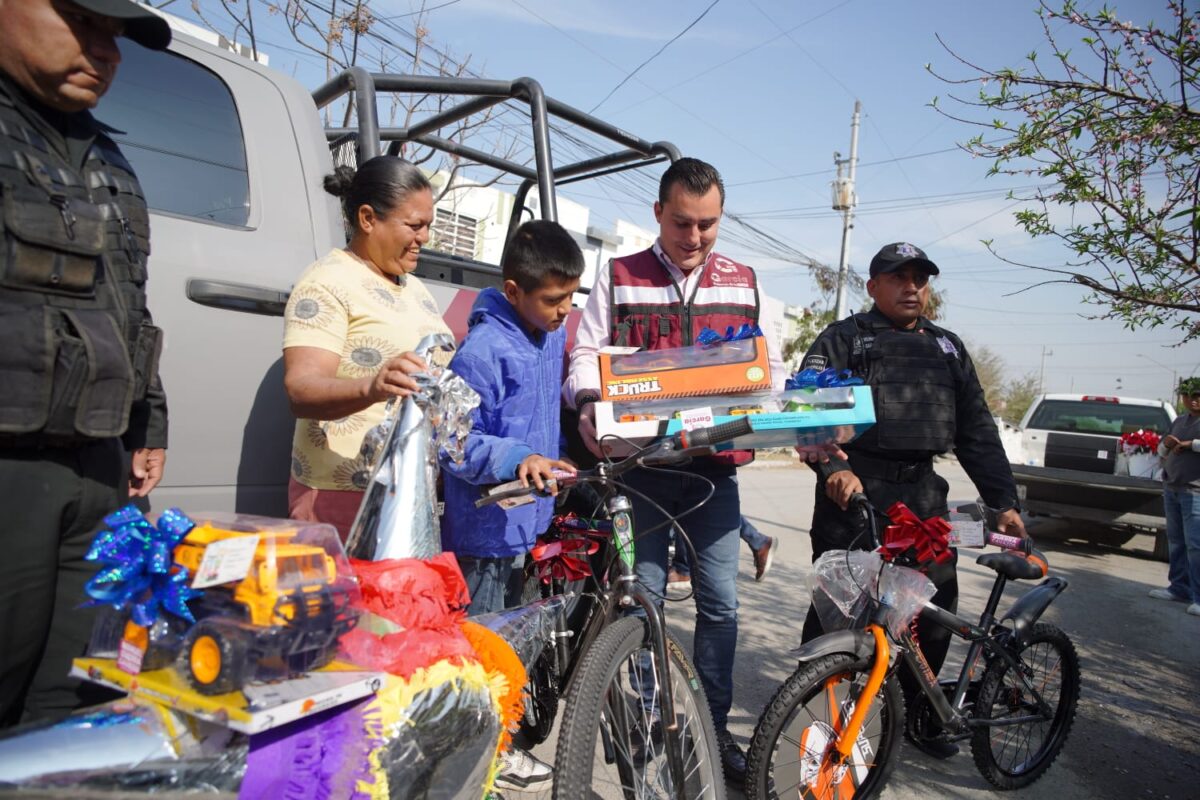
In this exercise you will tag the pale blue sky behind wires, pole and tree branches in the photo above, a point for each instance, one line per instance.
(765, 89)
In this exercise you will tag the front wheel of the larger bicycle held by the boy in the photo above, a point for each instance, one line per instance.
(595, 743)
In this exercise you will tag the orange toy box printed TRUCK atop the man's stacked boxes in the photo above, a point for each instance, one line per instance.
(730, 368)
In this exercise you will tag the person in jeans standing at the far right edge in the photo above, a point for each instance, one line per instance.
(1180, 450)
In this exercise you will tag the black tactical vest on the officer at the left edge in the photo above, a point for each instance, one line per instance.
(79, 345)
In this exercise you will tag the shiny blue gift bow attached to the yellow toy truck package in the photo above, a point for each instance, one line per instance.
(141, 573)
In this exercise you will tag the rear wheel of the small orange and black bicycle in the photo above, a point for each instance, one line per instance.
(1053, 667)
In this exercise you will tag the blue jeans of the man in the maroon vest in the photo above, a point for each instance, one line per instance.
(713, 531)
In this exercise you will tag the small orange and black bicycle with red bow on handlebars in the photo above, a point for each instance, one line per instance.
(832, 732)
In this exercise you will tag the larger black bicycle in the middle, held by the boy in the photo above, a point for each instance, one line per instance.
(637, 724)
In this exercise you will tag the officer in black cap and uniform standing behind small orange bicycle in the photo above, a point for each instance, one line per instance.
(928, 401)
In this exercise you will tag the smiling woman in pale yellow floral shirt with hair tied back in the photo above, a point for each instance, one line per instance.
(350, 329)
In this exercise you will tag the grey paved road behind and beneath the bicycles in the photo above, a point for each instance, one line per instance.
(1137, 732)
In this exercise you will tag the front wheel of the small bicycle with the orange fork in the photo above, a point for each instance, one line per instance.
(800, 715)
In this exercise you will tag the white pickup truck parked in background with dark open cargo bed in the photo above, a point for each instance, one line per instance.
(1066, 464)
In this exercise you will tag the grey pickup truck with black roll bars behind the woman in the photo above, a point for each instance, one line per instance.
(232, 155)
